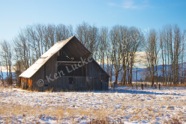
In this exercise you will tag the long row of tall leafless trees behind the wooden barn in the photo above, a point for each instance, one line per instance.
(114, 48)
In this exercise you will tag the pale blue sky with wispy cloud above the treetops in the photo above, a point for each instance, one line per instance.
(144, 14)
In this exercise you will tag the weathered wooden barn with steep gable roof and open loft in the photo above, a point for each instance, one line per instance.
(66, 66)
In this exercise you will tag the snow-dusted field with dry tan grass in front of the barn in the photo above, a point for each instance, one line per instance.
(122, 105)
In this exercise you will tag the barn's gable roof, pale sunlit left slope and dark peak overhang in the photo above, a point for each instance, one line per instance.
(79, 51)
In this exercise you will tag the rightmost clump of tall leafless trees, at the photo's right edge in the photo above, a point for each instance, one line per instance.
(172, 42)
